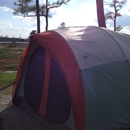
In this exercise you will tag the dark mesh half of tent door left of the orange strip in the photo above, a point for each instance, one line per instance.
(34, 78)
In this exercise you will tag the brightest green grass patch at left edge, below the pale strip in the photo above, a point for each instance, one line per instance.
(6, 78)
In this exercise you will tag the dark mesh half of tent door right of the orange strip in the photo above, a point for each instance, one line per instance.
(58, 104)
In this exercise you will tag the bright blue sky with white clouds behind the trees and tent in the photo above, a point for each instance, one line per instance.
(75, 13)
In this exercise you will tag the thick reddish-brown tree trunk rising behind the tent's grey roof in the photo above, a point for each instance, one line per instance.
(100, 13)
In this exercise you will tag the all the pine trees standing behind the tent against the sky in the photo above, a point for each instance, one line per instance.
(26, 9)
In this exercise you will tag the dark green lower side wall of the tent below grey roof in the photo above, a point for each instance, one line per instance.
(107, 95)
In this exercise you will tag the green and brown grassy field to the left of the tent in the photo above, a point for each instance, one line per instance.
(9, 60)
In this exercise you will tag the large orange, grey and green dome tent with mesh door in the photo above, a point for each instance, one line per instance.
(77, 76)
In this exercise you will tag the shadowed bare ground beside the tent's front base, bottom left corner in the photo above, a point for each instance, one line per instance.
(14, 118)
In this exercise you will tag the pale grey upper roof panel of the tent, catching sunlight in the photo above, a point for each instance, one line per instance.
(89, 45)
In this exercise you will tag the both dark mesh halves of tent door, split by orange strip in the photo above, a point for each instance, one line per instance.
(58, 100)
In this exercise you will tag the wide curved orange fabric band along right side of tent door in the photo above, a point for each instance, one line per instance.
(58, 47)
